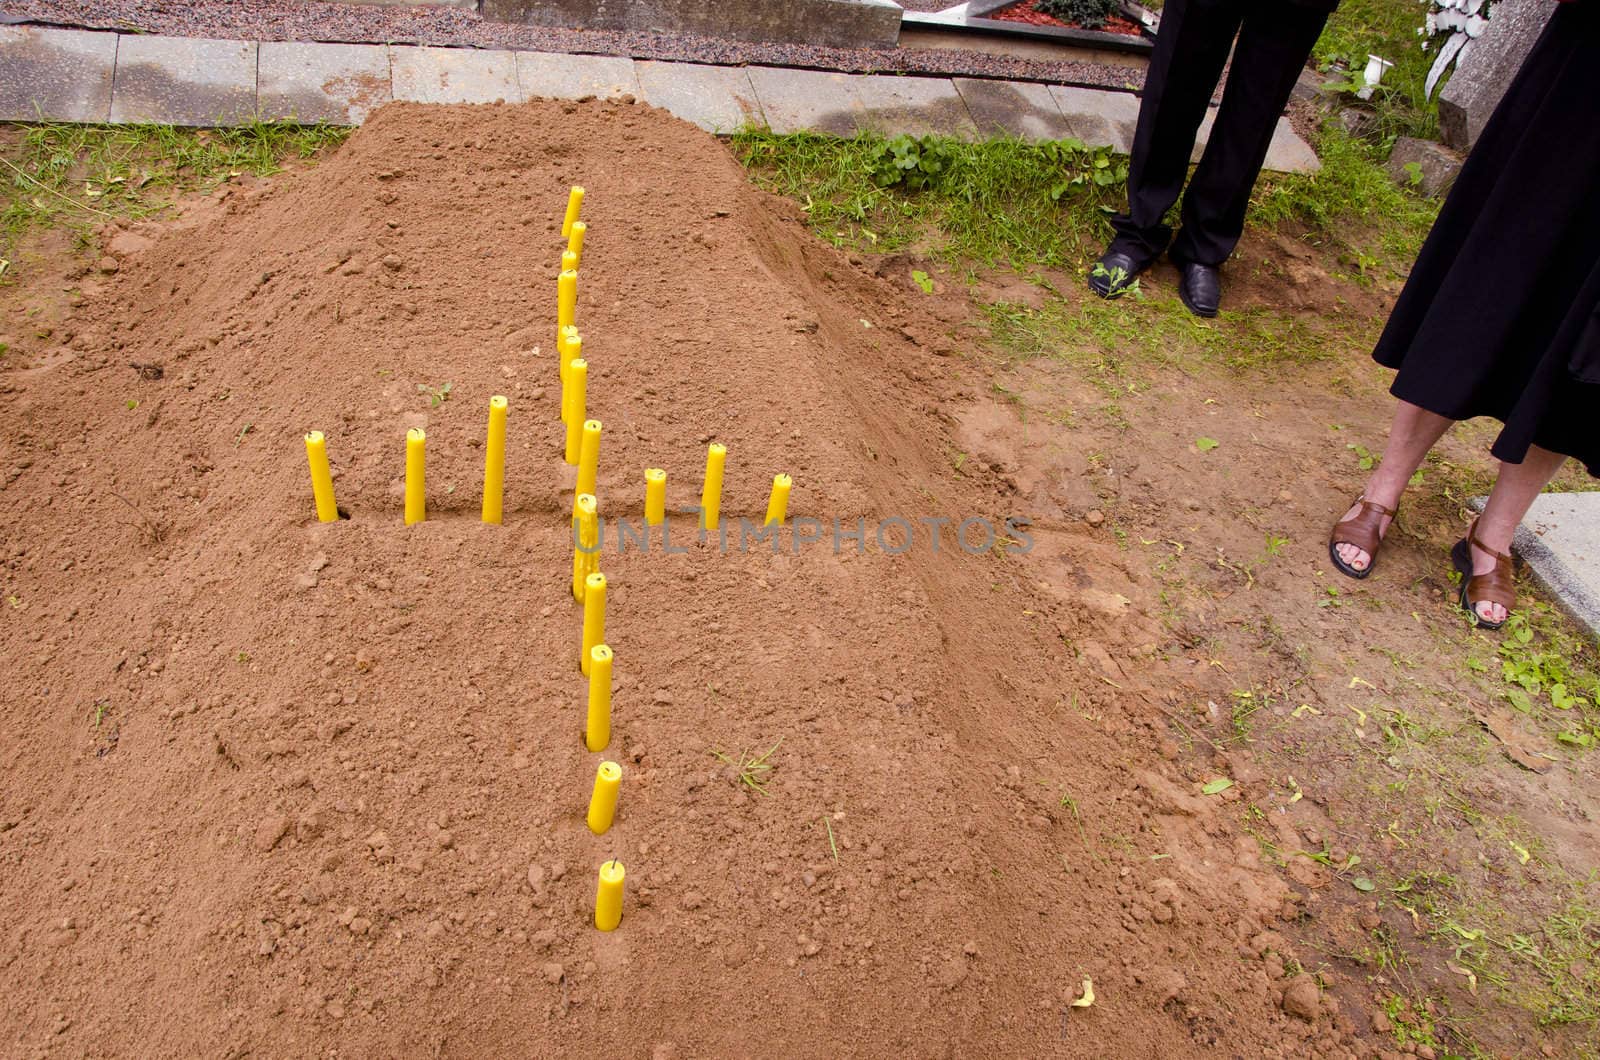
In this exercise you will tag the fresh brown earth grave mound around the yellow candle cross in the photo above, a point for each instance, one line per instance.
(279, 787)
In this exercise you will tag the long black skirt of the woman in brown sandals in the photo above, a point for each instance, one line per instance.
(1502, 315)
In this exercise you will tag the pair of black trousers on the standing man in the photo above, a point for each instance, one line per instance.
(1191, 50)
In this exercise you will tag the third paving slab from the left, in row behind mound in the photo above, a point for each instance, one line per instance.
(335, 84)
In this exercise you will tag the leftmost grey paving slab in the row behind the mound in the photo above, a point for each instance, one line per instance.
(55, 74)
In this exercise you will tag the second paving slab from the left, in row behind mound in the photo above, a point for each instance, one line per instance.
(185, 81)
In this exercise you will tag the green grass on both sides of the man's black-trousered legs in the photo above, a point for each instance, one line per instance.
(1006, 203)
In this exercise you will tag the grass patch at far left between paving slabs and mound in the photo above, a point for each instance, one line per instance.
(84, 175)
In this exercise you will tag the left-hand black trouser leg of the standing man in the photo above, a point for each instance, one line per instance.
(1191, 52)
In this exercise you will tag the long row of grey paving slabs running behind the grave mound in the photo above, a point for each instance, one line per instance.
(84, 76)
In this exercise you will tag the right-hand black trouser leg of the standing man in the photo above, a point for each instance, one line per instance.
(1273, 49)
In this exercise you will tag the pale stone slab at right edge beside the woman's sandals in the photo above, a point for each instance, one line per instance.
(1559, 539)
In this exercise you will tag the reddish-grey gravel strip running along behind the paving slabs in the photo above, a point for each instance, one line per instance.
(321, 20)
